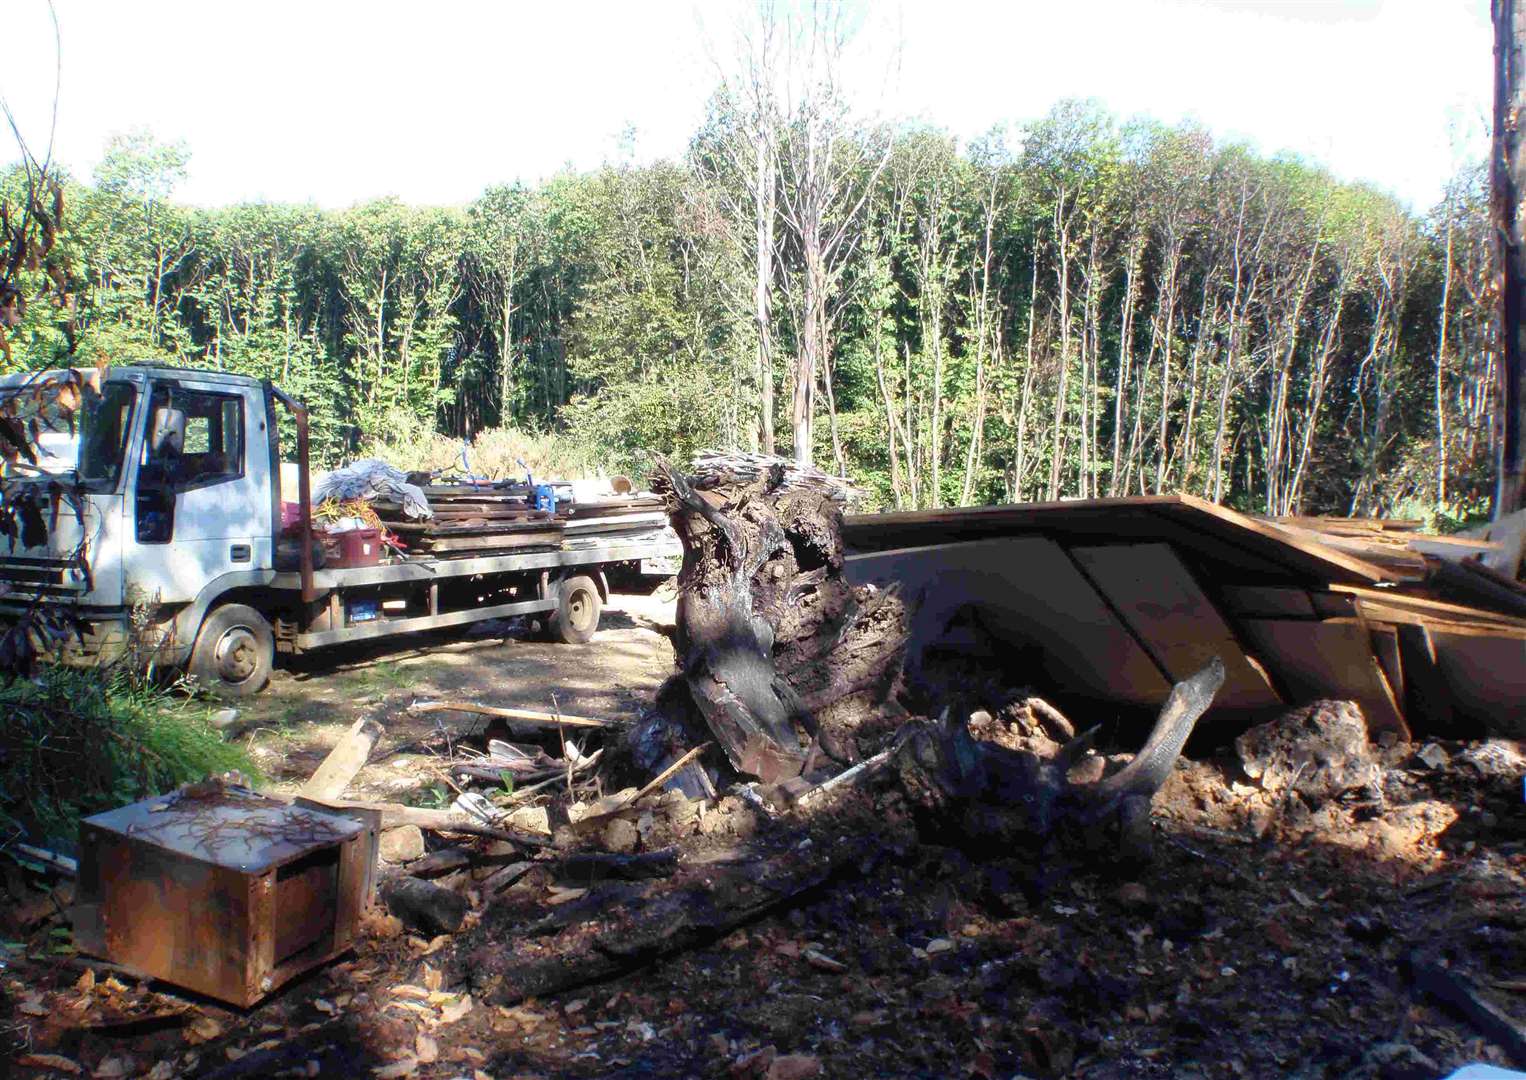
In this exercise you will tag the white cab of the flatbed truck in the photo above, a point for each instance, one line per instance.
(179, 503)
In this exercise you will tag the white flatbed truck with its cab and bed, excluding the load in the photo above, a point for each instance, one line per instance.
(179, 539)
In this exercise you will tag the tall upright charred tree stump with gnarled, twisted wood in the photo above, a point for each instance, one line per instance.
(771, 638)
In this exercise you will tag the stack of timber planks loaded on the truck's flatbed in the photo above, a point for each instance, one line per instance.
(495, 518)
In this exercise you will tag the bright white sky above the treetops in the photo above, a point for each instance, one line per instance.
(338, 101)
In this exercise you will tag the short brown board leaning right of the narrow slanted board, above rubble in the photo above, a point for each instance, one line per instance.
(1330, 660)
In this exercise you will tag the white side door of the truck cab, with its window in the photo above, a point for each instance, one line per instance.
(202, 500)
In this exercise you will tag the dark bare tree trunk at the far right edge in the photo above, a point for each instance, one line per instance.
(1507, 178)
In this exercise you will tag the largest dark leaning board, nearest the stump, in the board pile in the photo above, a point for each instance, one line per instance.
(1031, 597)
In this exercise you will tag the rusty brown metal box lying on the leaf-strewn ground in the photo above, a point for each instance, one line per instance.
(227, 892)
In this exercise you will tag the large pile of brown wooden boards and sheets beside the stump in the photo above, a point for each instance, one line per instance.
(1121, 599)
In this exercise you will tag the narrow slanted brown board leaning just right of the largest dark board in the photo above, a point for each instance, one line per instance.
(1174, 620)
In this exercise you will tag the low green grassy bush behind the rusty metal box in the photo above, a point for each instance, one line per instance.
(79, 742)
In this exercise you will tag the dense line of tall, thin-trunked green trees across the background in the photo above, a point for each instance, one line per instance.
(1080, 307)
